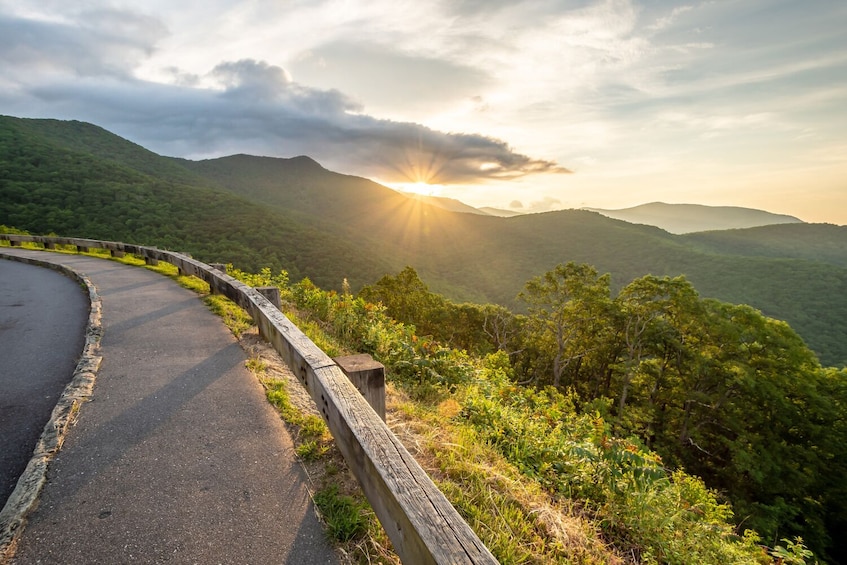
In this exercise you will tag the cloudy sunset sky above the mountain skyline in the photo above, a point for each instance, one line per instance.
(526, 106)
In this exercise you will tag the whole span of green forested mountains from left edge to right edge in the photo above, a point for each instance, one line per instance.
(76, 179)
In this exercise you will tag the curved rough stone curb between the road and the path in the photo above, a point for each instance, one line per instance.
(24, 498)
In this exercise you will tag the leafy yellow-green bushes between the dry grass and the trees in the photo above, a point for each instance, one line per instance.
(666, 517)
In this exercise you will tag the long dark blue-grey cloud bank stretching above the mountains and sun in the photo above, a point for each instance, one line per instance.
(83, 72)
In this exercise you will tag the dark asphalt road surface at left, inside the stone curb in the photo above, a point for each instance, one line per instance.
(42, 319)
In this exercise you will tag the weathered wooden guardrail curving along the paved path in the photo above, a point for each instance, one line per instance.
(422, 525)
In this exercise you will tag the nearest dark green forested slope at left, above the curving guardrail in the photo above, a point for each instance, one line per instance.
(62, 184)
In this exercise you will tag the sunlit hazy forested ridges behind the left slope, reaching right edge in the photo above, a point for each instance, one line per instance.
(487, 259)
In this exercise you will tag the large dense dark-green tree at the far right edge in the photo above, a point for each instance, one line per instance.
(748, 412)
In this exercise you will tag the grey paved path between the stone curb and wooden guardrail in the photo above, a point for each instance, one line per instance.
(178, 457)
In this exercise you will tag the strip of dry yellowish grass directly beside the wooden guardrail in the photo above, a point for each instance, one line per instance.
(513, 516)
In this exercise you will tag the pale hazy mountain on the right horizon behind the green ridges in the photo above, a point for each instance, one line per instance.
(688, 218)
